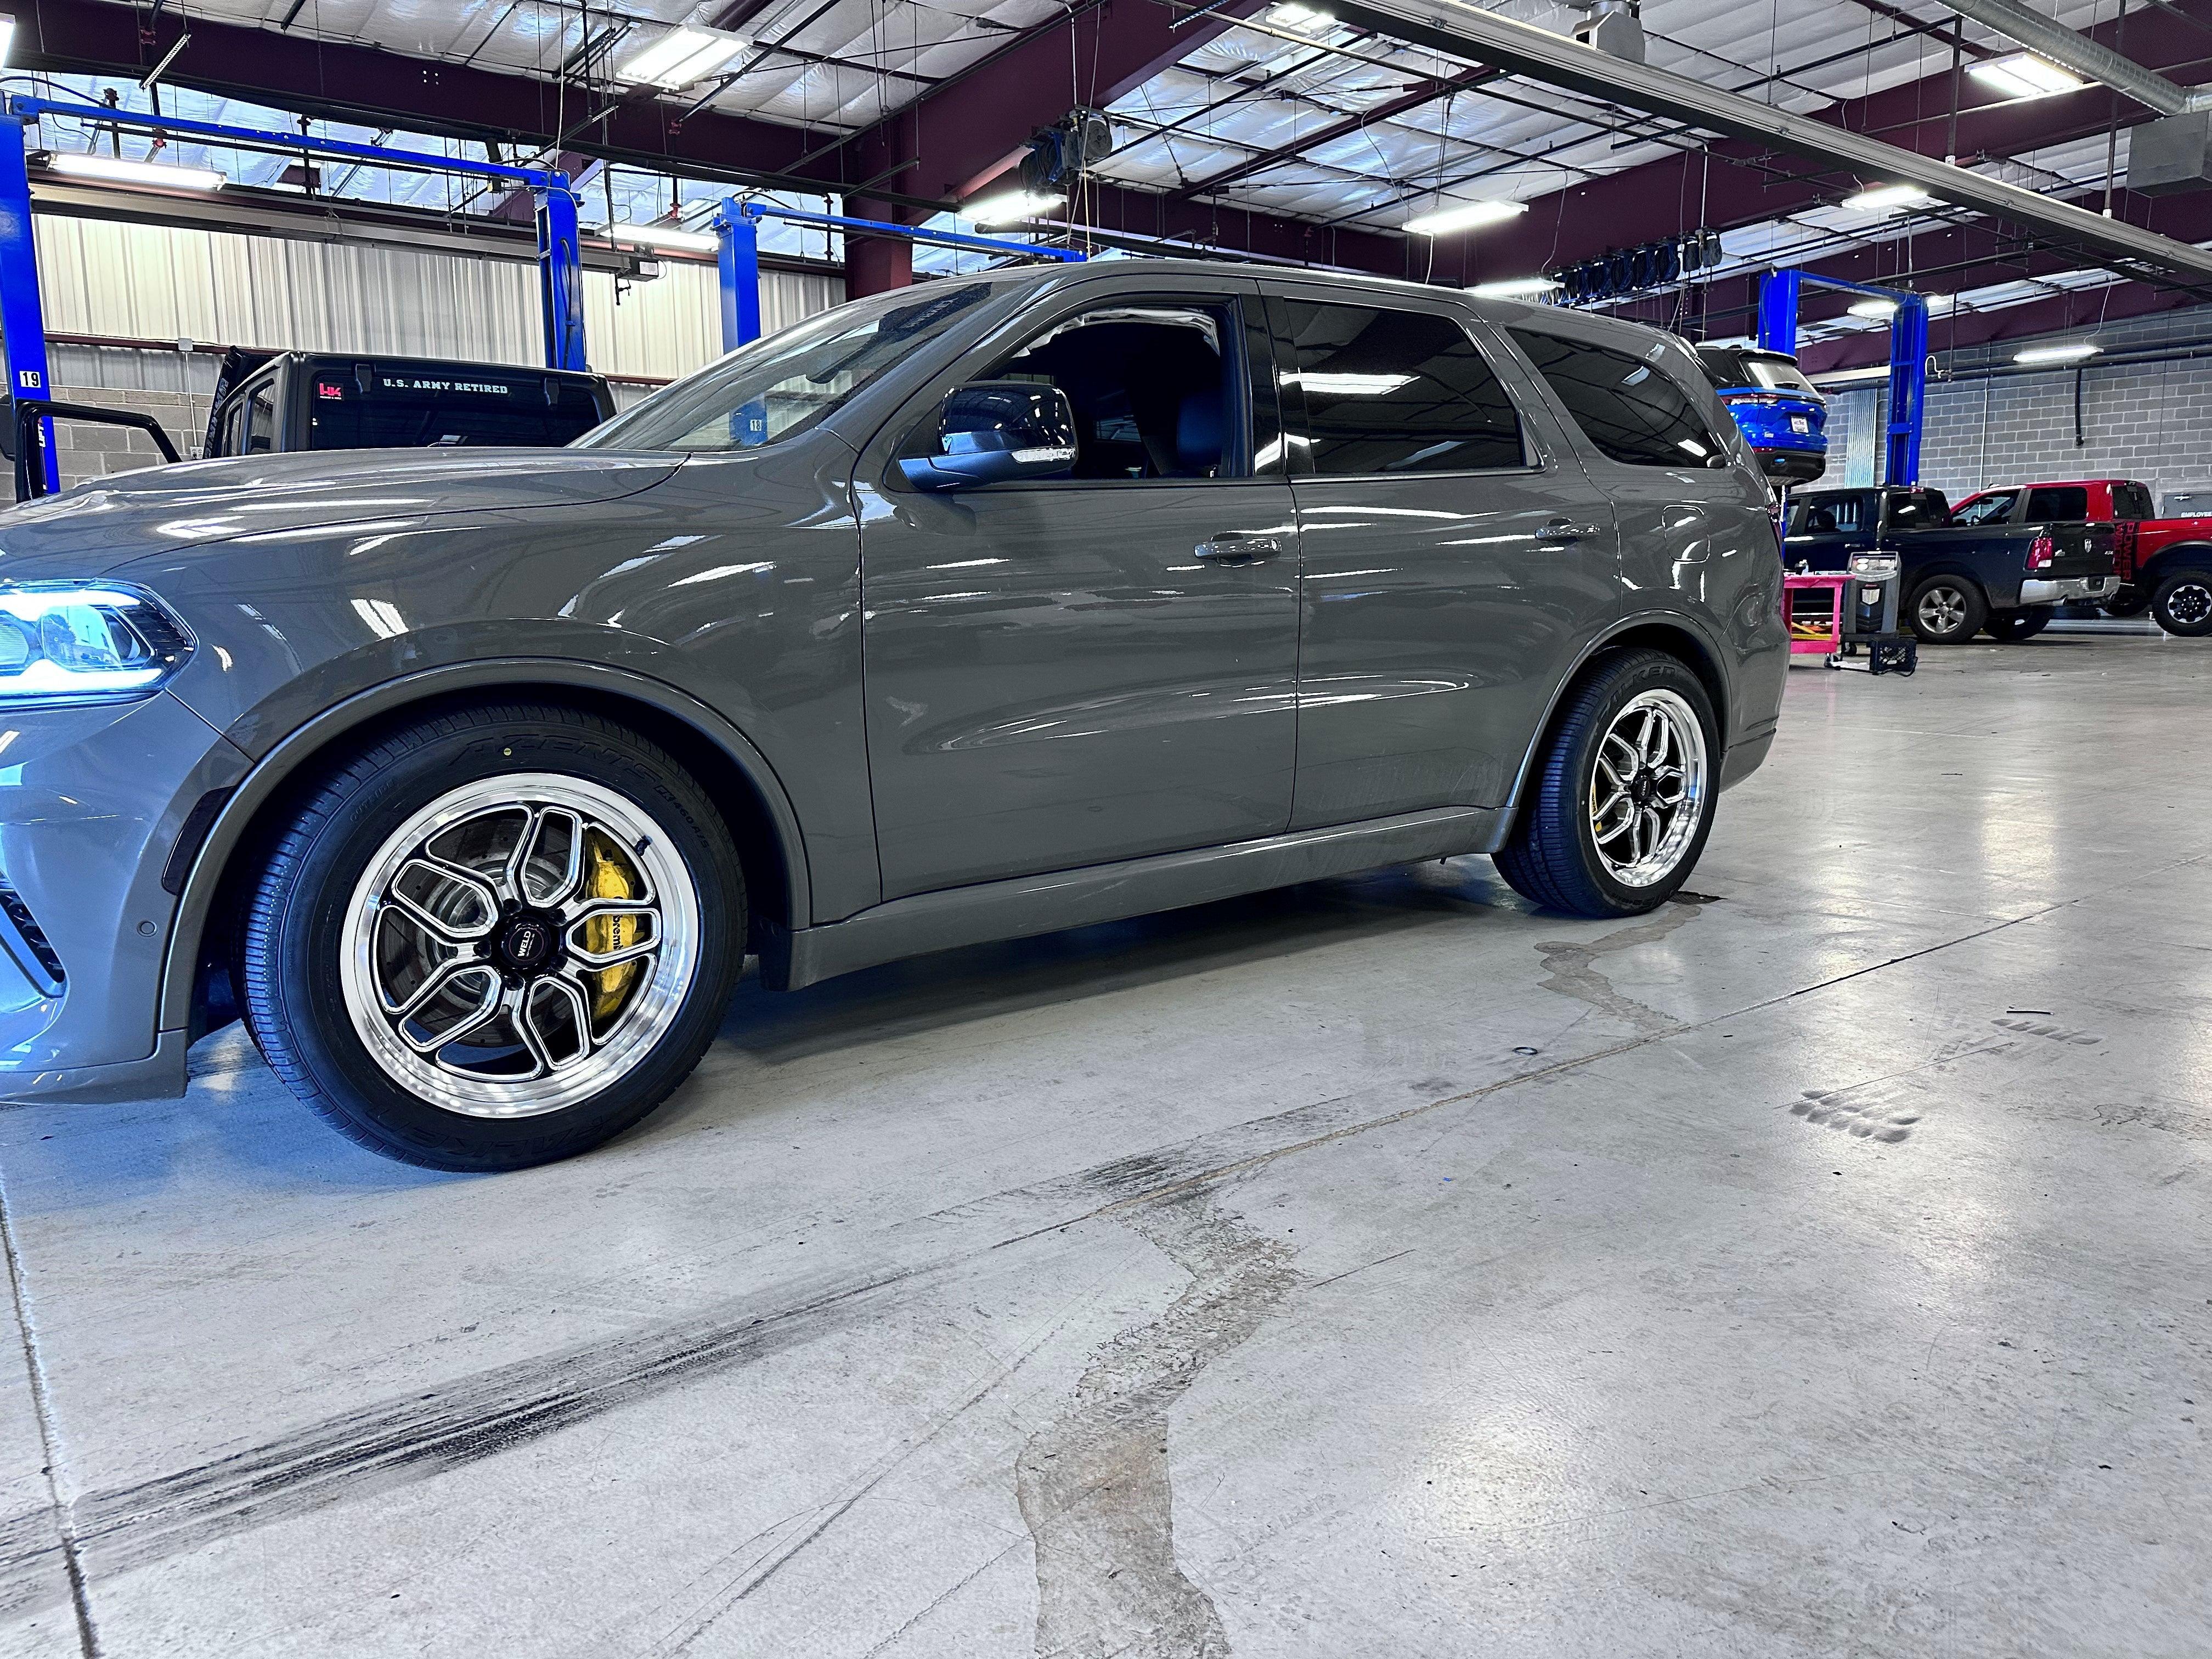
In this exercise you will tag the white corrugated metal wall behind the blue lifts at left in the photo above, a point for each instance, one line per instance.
(163, 284)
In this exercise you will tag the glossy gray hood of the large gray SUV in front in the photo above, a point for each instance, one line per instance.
(96, 528)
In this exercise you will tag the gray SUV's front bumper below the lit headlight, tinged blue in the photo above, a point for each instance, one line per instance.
(92, 802)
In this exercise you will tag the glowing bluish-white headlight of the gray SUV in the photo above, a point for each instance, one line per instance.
(74, 640)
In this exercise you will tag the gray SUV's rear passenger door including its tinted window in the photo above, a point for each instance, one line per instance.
(1454, 554)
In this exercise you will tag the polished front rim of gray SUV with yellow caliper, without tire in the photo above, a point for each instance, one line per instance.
(519, 946)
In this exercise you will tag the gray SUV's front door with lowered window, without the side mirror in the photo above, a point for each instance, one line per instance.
(1098, 667)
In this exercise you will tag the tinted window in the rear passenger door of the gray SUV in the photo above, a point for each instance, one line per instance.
(1395, 393)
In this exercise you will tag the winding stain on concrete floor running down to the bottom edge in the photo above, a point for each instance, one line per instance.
(1094, 1485)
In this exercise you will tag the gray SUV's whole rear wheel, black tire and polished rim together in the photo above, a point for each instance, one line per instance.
(1625, 793)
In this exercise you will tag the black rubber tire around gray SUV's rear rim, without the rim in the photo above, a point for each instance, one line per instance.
(1554, 855)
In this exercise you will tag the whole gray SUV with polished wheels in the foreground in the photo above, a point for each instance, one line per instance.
(983, 609)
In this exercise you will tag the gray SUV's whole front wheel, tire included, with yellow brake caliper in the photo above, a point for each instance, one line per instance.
(497, 939)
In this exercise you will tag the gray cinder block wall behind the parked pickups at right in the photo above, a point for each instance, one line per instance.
(2149, 421)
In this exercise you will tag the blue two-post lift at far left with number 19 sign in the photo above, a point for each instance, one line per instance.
(23, 324)
